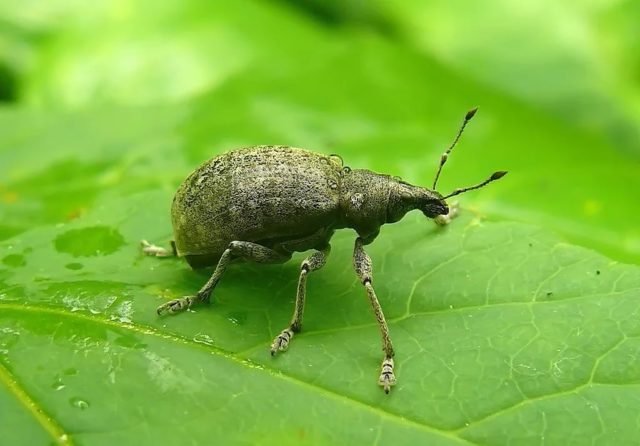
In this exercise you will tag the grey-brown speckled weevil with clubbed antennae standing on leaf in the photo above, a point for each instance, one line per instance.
(263, 203)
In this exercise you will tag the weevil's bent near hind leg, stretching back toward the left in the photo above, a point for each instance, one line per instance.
(244, 250)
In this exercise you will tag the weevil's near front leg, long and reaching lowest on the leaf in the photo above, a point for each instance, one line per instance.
(362, 265)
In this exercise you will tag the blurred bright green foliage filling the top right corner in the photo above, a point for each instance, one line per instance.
(578, 60)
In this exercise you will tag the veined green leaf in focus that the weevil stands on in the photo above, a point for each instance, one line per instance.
(502, 332)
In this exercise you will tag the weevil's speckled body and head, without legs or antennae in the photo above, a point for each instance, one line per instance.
(284, 198)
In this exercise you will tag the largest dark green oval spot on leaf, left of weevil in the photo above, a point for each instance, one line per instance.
(88, 242)
